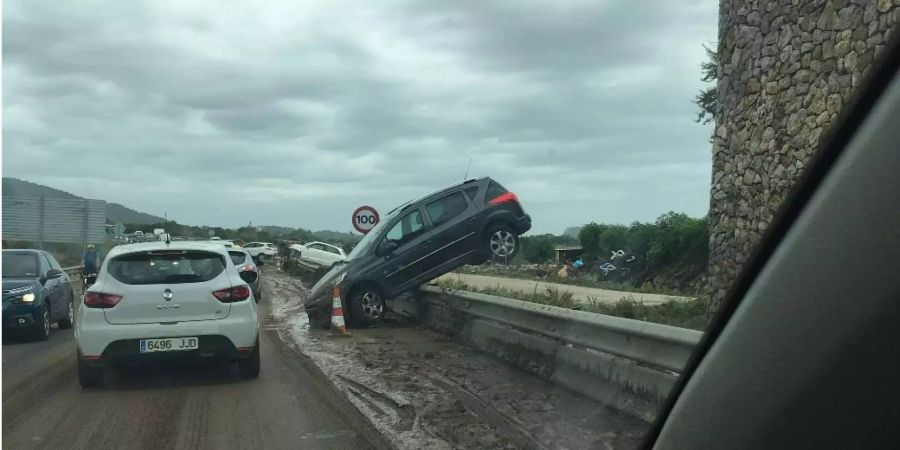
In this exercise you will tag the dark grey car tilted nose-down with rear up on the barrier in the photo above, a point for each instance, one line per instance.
(467, 223)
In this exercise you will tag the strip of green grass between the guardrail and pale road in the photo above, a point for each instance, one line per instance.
(690, 314)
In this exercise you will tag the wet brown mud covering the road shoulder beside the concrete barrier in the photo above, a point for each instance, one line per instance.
(422, 390)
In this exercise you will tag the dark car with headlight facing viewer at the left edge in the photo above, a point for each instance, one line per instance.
(36, 293)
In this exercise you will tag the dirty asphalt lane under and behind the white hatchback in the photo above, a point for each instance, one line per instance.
(195, 407)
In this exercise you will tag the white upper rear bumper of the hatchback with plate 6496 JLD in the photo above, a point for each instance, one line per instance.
(94, 337)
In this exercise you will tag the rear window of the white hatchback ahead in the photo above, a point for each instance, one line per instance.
(167, 267)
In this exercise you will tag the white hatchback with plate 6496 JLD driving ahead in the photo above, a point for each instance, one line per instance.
(156, 301)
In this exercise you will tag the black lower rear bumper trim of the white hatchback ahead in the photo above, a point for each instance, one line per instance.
(126, 352)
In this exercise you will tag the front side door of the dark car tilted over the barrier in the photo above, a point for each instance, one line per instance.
(402, 267)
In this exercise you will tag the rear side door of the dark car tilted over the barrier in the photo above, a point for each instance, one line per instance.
(454, 233)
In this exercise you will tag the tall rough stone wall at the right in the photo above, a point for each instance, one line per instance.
(786, 68)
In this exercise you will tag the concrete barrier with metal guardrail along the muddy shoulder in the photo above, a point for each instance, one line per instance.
(628, 364)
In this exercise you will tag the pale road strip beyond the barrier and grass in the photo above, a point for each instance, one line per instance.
(579, 293)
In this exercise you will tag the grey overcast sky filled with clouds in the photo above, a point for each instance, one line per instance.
(293, 113)
